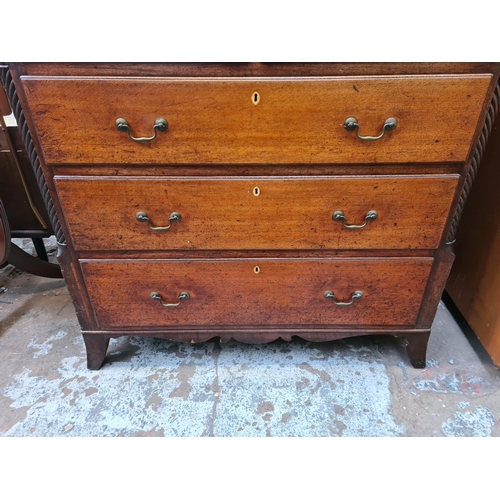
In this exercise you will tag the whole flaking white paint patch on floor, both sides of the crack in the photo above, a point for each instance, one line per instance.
(301, 392)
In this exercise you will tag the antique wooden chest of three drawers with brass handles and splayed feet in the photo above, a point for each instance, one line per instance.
(254, 201)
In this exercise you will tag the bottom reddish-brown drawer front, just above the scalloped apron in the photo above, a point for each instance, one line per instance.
(256, 292)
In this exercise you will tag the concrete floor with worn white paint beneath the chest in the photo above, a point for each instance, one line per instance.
(151, 387)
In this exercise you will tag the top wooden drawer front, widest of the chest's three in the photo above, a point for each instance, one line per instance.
(248, 121)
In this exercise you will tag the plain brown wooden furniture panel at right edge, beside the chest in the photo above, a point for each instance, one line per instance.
(474, 282)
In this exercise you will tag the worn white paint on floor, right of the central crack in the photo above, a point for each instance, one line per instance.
(339, 395)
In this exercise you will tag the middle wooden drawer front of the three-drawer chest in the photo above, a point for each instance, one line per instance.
(256, 213)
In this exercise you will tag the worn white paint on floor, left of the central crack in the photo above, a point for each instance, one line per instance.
(114, 400)
